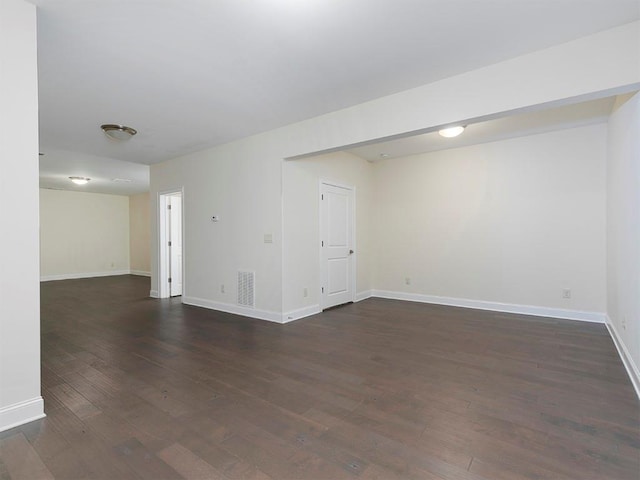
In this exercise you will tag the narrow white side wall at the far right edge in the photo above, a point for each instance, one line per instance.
(623, 232)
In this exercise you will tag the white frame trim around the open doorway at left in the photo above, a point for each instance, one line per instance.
(164, 259)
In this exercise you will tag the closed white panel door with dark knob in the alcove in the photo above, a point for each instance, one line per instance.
(337, 244)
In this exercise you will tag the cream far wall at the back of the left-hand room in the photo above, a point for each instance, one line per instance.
(83, 234)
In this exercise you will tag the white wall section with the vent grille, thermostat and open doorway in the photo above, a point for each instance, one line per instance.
(240, 184)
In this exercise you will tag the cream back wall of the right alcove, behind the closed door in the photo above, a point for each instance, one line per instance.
(512, 222)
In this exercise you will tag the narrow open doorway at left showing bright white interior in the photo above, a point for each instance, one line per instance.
(170, 273)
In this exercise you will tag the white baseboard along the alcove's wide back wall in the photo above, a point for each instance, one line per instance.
(594, 317)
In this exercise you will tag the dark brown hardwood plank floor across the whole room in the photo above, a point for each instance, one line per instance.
(142, 388)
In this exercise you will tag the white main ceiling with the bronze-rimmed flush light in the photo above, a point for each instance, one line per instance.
(191, 74)
